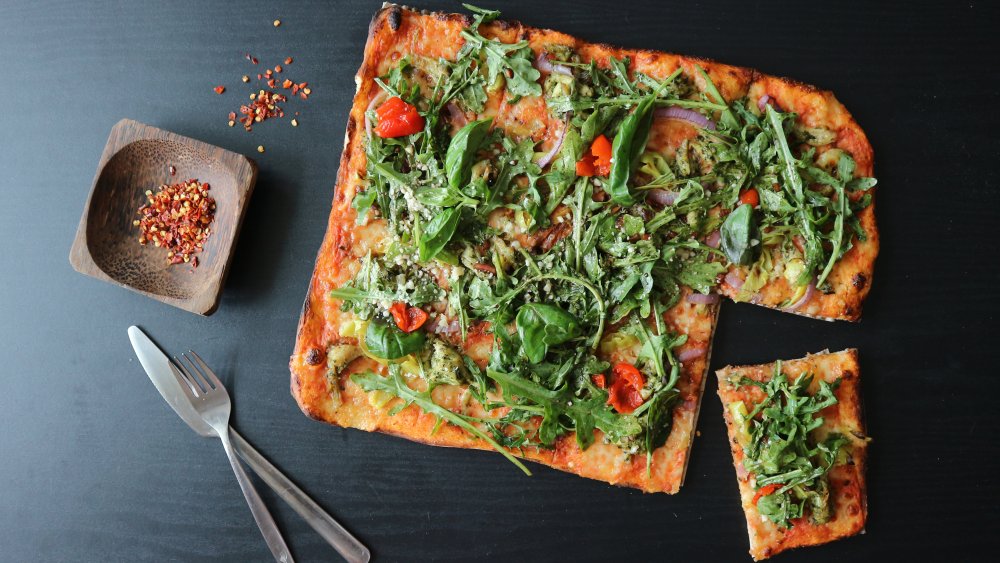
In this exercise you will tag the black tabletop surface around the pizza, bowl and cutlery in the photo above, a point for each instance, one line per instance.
(94, 466)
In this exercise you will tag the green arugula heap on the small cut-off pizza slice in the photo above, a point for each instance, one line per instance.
(783, 451)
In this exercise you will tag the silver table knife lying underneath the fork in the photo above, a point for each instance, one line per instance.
(157, 366)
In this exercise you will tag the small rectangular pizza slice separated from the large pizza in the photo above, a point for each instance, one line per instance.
(799, 448)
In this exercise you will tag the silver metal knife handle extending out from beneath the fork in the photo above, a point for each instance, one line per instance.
(338, 537)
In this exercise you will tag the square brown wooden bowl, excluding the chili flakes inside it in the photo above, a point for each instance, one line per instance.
(137, 158)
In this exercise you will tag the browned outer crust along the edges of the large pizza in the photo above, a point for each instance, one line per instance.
(396, 31)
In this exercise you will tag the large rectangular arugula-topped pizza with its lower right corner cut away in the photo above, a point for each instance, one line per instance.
(530, 234)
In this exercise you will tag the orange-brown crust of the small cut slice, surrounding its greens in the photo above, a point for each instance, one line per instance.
(847, 481)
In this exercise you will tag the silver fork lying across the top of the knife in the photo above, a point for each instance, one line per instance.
(211, 400)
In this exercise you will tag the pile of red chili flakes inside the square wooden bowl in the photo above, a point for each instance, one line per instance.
(177, 218)
